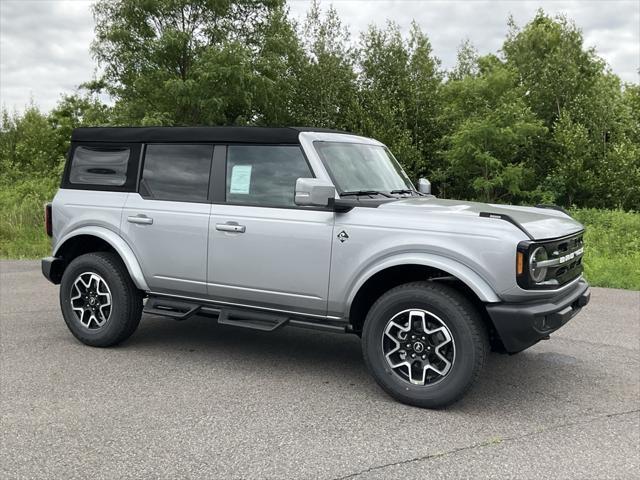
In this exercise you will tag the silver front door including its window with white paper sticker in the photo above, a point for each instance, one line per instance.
(264, 250)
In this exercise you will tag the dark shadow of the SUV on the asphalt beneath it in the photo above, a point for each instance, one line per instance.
(519, 383)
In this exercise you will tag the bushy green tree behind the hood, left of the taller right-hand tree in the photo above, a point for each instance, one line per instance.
(494, 135)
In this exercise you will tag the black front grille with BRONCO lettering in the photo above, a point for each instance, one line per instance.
(569, 250)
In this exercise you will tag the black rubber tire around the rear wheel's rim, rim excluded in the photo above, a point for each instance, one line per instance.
(117, 318)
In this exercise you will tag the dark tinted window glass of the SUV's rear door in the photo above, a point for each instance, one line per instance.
(176, 172)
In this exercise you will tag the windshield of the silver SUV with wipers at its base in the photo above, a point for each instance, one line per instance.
(361, 167)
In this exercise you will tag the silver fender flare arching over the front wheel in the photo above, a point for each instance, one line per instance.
(463, 273)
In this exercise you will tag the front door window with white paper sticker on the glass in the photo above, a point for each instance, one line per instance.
(264, 175)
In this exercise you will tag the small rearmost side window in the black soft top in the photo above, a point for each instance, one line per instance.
(105, 166)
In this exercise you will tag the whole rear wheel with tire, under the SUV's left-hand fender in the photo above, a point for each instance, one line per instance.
(100, 304)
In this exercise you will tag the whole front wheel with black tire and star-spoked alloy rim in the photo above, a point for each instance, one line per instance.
(424, 344)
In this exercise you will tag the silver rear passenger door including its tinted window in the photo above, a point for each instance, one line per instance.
(166, 222)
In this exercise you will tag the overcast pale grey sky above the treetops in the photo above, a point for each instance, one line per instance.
(44, 44)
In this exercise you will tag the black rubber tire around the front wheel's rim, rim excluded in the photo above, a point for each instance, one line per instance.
(449, 388)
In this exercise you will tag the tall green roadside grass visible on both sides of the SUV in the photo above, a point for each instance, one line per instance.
(612, 241)
